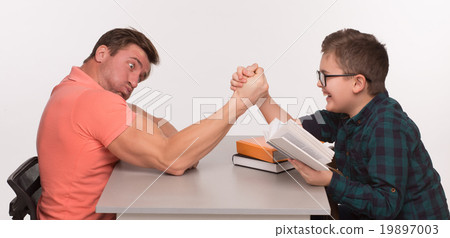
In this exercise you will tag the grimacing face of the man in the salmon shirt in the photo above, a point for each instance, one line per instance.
(122, 72)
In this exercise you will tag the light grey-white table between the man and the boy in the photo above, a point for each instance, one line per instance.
(215, 190)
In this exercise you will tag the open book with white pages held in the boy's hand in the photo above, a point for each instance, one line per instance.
(297, 143)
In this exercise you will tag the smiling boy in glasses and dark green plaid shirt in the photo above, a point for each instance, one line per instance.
(387, 172)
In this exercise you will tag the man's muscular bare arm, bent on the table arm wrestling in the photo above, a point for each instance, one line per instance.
(183, 149)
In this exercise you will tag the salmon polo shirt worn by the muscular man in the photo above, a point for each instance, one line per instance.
(80, 120)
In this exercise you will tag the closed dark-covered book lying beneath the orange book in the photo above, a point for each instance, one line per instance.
(245, 161)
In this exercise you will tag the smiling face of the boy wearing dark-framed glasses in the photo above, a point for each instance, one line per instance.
(339, 93)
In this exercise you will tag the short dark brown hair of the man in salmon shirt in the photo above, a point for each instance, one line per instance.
(120, 38)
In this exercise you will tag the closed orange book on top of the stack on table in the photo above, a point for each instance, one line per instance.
(256, 147)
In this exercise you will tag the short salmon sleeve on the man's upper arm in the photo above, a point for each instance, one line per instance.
(101, 115)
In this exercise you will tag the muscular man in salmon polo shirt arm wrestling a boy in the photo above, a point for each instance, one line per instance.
(87, 127)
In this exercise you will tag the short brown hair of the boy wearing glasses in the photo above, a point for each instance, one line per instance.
(359, 53)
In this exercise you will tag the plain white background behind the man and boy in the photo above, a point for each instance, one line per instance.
(201, 43)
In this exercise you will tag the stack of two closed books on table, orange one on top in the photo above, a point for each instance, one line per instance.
(255, 153)
